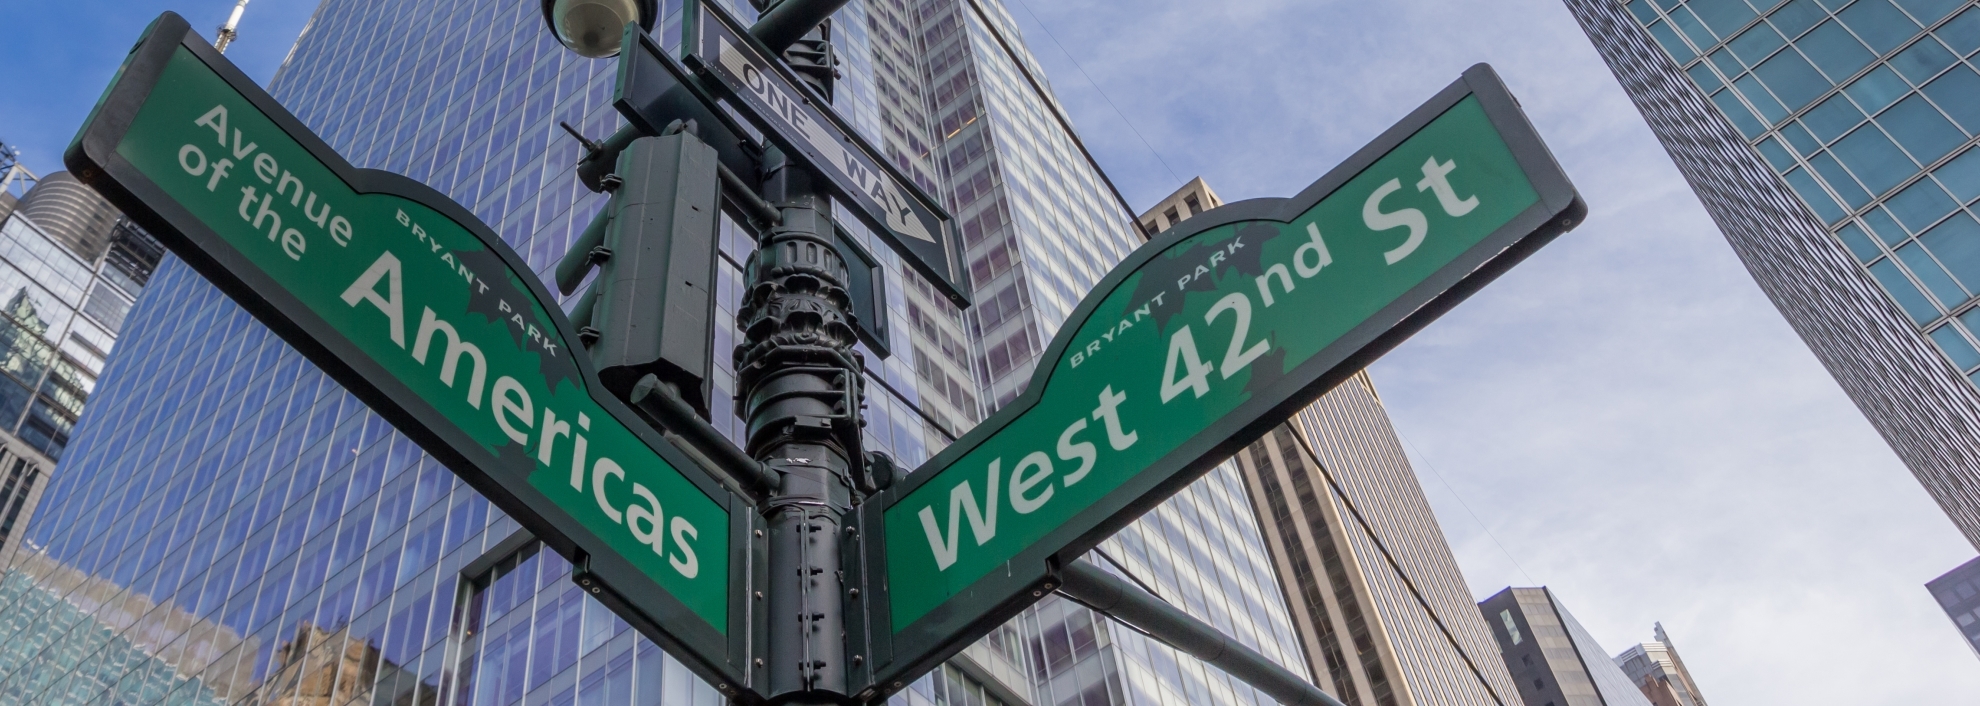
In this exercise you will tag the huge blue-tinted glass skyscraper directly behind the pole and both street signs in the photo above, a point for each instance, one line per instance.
(233, 527)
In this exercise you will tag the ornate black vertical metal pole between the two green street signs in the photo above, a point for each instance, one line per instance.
(799, 387)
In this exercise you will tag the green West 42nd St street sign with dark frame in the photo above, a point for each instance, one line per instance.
(1197, 345)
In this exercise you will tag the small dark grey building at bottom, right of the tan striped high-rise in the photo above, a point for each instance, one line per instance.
(1551, 656)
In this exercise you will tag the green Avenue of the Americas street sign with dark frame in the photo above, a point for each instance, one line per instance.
(427, 315)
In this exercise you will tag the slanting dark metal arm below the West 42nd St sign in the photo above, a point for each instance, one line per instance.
(1130, 604)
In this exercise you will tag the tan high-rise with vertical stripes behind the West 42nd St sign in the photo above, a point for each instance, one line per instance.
(1367, 636)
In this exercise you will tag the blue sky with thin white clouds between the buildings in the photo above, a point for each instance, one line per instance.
(1623, 418)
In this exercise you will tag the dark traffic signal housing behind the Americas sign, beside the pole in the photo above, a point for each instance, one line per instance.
(654, 246)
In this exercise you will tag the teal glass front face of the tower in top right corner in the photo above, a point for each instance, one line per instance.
(1866, 110)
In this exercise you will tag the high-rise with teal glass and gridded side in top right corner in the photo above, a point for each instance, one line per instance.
(1831, 143)
